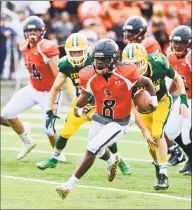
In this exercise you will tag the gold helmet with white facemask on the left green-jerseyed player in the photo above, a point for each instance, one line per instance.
(76, 48)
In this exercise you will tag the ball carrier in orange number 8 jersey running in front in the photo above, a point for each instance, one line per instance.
(111, 84)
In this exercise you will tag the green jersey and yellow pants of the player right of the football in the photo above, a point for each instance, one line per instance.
(159, 68)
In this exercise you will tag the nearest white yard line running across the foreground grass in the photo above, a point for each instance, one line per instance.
(99, 188)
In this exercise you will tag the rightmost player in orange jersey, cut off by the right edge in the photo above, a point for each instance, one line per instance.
(178, 128)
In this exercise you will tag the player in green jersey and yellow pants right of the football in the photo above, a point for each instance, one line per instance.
(156, 67)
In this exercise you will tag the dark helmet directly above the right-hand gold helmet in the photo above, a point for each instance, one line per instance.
(134, 29)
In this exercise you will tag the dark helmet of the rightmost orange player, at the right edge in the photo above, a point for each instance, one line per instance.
(181, 40)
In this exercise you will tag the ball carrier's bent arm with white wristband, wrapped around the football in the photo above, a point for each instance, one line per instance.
(148, 84)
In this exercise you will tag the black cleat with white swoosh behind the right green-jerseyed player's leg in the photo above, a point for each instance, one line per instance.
(176, 157)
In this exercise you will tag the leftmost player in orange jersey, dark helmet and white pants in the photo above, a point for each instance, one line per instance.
(41, 57)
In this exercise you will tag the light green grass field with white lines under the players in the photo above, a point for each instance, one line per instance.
(23, 186)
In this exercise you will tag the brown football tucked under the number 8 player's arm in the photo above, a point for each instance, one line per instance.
(141, 100)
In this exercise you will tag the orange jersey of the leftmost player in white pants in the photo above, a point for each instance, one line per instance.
(41, 76)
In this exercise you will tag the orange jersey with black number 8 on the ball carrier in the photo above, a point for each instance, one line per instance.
(112, 97)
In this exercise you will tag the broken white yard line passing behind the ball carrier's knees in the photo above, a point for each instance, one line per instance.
(79, 138)
